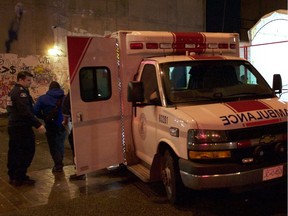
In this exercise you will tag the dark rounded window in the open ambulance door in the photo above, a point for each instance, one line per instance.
(95, 84)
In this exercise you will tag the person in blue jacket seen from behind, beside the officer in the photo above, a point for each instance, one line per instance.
(49, 108)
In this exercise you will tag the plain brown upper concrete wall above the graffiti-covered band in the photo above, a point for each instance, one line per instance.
(30, 23)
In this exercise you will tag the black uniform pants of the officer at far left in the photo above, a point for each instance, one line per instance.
(21, 151)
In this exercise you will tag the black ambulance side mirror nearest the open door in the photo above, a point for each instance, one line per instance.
(135, 92)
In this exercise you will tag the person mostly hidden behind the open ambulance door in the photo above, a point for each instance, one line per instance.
(66, 110)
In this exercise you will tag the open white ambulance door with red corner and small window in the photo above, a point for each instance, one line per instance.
(95, 103)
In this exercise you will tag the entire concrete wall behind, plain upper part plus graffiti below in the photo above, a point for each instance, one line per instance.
(30, 27)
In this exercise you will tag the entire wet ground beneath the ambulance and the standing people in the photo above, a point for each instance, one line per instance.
(117, 192)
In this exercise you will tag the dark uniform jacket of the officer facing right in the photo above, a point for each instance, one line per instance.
(20, 108)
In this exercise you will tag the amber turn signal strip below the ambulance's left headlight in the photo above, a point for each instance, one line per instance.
(209, 154)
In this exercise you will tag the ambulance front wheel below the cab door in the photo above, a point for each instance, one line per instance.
(171, 177)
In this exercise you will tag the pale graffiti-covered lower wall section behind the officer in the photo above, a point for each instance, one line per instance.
(44, 69)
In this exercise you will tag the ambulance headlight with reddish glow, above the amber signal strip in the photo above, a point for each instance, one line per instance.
(206, 136)
